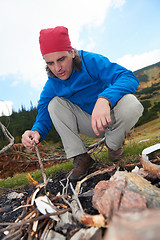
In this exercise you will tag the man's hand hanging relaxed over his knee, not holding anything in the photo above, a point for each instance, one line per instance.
(101, 115)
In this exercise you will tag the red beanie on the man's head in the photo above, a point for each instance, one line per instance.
(54, 40)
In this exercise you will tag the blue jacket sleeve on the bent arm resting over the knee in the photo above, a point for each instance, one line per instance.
(117, 80)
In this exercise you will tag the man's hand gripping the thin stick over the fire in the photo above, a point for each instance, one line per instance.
(29, 138)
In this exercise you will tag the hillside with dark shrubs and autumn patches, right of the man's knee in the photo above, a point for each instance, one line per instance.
(149, 92)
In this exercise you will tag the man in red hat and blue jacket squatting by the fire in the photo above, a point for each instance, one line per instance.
(85, 93)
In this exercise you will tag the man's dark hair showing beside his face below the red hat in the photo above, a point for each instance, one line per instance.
(77, 62)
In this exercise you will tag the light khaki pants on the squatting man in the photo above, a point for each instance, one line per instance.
(70, 120)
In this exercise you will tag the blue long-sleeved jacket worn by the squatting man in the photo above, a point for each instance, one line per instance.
(98, 78)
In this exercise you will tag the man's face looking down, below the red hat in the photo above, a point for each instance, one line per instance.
(60, 63)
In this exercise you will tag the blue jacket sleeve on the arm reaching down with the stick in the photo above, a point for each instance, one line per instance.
(43, 120)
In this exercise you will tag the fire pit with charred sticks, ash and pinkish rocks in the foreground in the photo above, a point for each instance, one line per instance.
(88, 209)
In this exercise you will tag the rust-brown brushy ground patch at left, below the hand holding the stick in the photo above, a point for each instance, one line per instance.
(19, 159)
